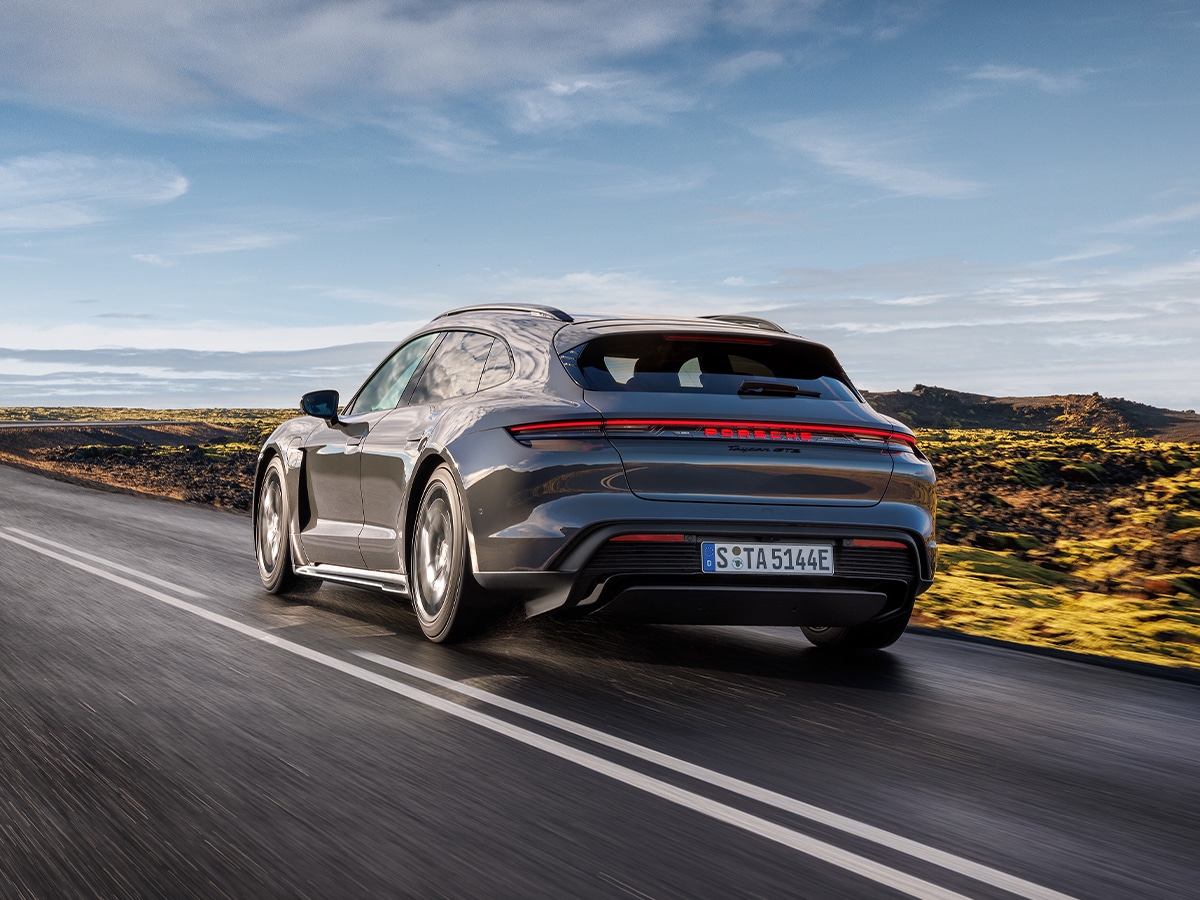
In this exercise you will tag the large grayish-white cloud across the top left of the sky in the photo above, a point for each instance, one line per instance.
(143, 57)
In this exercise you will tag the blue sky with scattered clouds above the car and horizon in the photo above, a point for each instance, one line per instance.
(212, 203)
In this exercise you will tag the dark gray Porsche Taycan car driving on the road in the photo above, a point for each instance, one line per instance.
(691, 471)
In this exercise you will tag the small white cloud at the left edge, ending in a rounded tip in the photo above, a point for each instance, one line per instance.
(68, 190)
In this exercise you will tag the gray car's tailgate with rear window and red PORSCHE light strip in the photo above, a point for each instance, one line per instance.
(764, 421)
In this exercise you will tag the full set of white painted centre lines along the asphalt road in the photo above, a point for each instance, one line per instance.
(719, 812)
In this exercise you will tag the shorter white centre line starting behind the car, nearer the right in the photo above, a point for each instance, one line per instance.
(995, 878)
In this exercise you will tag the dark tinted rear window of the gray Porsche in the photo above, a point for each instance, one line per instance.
(709, 364)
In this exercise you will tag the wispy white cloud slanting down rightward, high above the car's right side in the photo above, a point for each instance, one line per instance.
(872, 160)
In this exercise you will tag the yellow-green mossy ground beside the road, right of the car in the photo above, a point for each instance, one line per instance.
(1079, 542)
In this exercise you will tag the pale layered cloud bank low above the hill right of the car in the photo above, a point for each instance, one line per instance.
(1004, 331)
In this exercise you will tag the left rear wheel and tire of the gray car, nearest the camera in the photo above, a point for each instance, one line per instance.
(448, 601)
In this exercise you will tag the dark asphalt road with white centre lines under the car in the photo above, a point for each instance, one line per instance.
(170, 730)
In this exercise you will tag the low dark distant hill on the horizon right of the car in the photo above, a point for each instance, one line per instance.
(926, 407)
